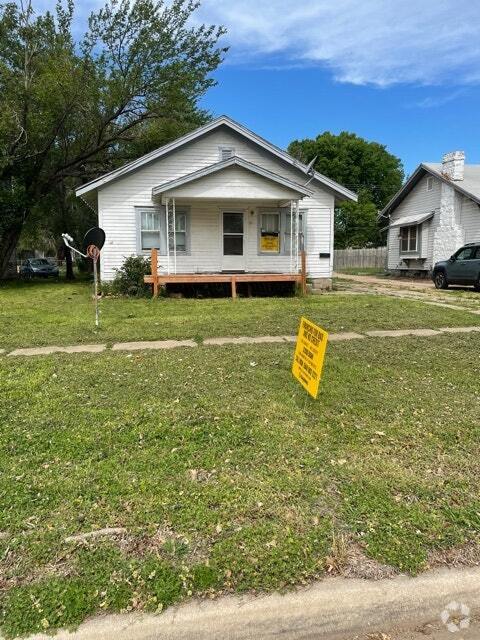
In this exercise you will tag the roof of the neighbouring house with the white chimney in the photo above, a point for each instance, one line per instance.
(469, 186)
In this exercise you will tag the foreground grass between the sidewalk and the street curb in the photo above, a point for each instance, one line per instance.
(226, 476)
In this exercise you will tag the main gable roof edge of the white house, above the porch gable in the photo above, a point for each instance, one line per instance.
(338, 189)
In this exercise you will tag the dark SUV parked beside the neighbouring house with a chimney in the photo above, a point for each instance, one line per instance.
(462, 268)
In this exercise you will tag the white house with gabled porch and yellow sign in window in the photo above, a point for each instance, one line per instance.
(218, 200)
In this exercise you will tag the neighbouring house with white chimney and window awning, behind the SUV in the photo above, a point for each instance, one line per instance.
(434, 214)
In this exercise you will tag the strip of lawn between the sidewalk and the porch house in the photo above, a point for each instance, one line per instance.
(35, 314)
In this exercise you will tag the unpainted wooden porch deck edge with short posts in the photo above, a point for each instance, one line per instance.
(159, 279)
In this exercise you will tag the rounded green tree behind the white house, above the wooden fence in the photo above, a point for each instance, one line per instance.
(362, 166)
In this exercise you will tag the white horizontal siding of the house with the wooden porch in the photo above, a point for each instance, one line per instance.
(117, 201)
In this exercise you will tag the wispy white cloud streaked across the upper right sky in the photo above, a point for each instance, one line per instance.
(380, 42)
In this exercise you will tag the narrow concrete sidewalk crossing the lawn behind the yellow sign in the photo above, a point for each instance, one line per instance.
(227, 340)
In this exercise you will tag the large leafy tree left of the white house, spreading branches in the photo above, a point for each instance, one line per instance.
(69, 110)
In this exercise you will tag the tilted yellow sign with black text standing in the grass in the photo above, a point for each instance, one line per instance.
(309, 355)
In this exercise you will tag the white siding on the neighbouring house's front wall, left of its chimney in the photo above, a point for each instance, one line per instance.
(418, 201)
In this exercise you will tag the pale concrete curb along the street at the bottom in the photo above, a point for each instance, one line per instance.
(333, 609)
